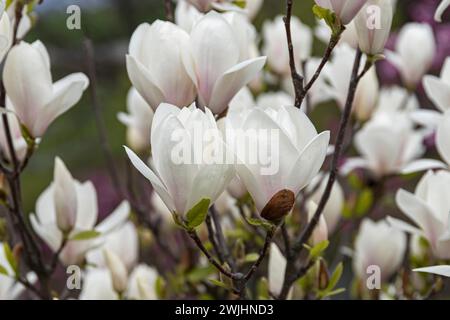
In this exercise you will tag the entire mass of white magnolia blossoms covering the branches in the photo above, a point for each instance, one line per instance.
(207, 72)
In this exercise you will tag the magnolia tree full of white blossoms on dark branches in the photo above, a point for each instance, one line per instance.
(234, 192)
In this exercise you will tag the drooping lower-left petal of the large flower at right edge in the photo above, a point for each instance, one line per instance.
(418, 211)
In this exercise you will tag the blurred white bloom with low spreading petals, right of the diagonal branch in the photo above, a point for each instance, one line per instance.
(388, 144)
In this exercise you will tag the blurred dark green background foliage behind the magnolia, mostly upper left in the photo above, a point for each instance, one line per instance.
(109, 23)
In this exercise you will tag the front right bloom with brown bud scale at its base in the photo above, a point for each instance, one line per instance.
(288, 149)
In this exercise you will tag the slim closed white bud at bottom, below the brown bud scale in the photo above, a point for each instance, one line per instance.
(276, 270)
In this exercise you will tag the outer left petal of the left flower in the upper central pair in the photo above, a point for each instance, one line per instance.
(143, 81)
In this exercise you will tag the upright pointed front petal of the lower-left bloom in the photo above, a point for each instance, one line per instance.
(64, 197)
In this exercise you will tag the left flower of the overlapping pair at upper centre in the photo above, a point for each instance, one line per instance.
(155, 65)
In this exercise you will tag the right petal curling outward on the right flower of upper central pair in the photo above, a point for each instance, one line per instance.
(232, 81)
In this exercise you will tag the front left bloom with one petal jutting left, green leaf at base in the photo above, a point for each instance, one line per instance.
(184, 144)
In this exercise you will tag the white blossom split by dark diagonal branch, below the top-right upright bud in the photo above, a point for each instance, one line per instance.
(338, 75)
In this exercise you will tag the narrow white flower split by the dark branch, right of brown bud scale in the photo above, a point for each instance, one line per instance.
(333, 209)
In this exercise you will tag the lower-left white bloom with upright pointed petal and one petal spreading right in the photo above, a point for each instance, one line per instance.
(68, 209)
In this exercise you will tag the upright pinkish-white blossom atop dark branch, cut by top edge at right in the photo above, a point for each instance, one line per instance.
(372, 37)
